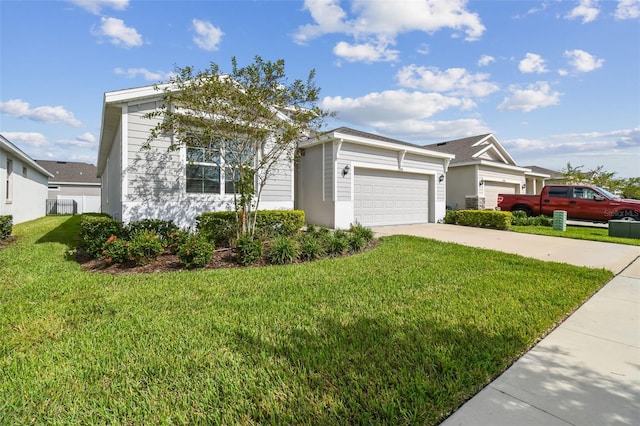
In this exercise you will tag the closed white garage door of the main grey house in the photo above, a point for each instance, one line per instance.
(390, 198)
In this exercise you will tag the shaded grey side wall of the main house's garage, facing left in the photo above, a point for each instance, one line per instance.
(318, 209)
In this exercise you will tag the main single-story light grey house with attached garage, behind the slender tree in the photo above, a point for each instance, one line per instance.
(342, 177)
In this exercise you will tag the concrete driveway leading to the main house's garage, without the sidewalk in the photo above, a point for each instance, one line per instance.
(614, 257)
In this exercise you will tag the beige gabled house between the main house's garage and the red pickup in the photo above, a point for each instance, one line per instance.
(481, 170)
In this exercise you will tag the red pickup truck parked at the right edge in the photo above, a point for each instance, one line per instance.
(581, 202)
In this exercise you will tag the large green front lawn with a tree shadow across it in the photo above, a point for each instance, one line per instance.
(401, 334)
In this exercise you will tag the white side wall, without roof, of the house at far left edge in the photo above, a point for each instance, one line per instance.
(28, 193)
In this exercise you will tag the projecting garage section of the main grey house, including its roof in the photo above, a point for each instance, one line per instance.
(347, 176)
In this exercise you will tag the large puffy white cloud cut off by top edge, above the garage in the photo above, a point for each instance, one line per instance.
(380, 22)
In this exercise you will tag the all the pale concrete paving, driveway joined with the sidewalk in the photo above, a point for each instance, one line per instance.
(585, 372)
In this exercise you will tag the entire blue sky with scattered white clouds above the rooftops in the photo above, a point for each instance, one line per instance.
(555, 81)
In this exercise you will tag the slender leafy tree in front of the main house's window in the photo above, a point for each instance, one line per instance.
(252, 118)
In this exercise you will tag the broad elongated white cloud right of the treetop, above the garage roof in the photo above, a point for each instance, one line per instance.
(389, 106)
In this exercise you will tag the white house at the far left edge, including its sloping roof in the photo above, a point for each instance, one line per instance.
(23, 191)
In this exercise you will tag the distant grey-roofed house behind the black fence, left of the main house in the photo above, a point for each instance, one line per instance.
(75, 182)
